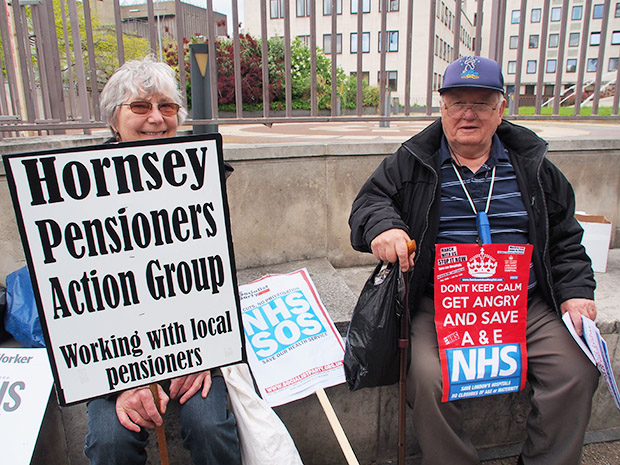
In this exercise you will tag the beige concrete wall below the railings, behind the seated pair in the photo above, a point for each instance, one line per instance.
(292, 203)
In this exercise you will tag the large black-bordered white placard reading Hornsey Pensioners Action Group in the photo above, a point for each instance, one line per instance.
(130, 252)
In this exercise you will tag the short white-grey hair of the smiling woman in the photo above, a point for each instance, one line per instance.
(139, 78)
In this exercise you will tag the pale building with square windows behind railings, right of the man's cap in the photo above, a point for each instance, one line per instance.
(570, 42)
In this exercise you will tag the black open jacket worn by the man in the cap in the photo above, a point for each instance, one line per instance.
(404, 192)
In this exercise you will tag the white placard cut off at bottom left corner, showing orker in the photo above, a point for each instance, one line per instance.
(25, 385)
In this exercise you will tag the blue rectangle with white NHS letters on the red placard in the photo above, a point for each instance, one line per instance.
(477, 363)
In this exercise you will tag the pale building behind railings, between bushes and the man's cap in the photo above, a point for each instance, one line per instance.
(446, 27)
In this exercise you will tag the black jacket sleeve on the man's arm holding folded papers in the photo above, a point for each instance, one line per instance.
(570, 265)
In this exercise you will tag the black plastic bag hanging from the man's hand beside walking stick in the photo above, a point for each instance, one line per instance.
(371, 356)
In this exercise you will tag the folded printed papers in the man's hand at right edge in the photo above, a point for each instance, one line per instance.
(595, 347)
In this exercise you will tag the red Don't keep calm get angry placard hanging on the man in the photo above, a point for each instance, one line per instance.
(480, 315)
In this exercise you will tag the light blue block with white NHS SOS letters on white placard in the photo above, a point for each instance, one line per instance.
(280, 323)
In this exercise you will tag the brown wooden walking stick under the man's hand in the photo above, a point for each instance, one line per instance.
(403, 344)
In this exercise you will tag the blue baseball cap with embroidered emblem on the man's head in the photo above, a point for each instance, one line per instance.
(471, 71)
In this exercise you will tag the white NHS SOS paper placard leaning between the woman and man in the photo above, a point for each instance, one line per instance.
(293, 345)
